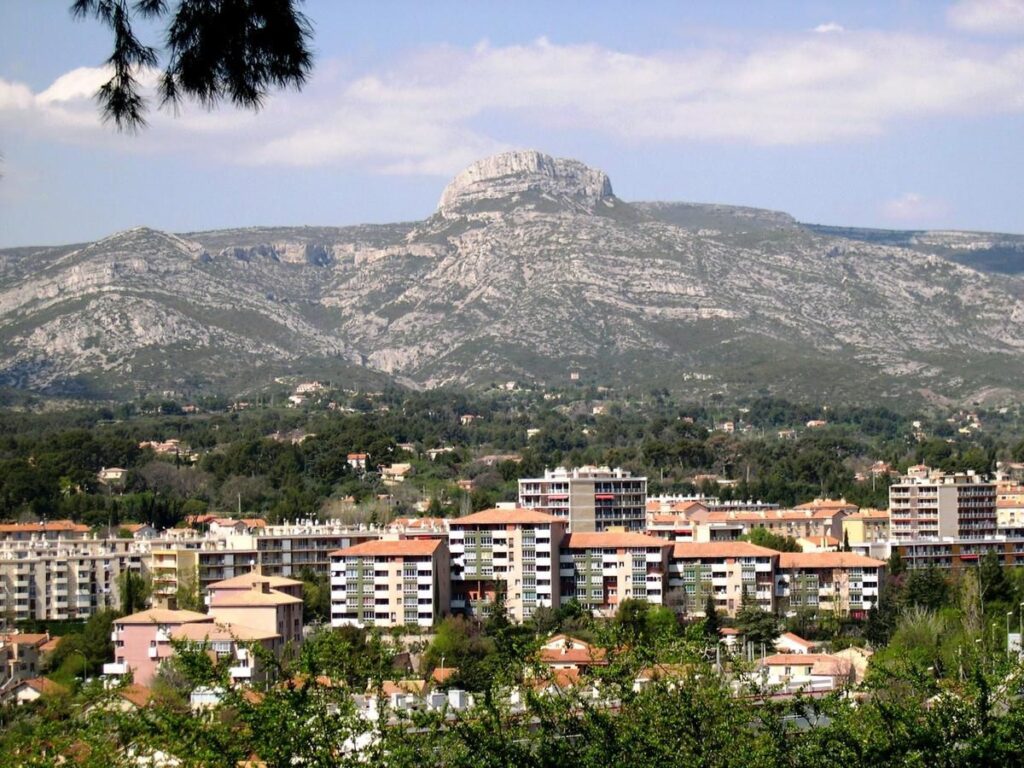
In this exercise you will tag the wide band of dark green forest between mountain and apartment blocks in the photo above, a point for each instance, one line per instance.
(284, 463)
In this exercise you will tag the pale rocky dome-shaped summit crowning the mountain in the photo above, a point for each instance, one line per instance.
(525, 178)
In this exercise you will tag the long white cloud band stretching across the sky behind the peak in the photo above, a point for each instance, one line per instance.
(436, 111)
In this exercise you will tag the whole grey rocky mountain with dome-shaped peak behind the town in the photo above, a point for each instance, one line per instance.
(530, 269)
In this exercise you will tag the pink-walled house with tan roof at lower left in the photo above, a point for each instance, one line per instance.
(143, 641)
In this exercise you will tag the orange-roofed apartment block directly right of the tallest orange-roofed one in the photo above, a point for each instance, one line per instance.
(600, 571)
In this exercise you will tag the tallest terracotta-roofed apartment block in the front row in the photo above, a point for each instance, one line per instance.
(513, 551)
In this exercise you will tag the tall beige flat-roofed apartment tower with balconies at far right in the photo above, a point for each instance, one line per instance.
(932, 504)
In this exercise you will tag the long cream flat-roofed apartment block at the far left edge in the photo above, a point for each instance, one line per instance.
(61, 580)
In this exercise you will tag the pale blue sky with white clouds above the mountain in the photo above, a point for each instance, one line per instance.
(901, 114)
